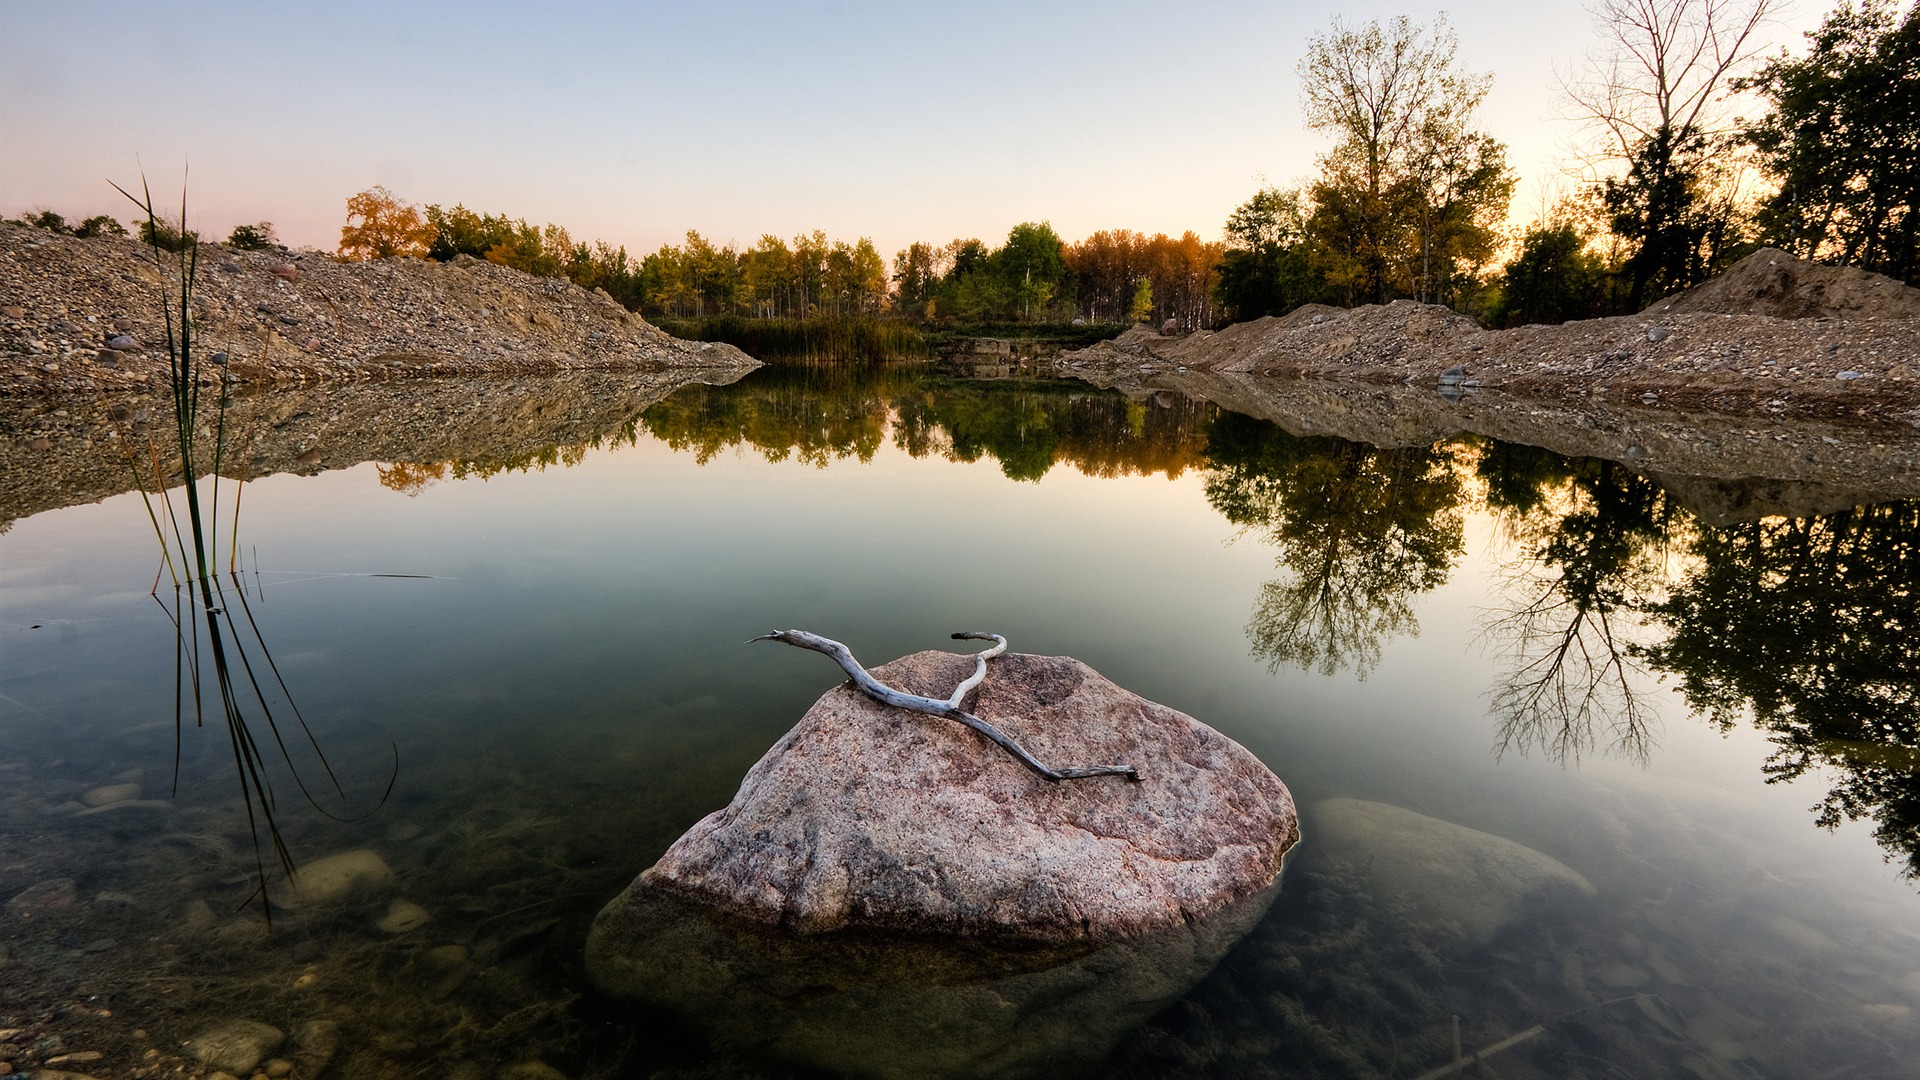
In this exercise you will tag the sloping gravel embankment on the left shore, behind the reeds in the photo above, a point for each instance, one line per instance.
(82, 316)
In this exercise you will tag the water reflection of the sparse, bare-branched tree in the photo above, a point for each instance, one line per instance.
(1589, 547)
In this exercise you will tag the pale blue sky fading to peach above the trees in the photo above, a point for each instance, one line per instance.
(638, 122)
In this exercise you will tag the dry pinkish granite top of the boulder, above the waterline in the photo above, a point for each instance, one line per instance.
(878, 818)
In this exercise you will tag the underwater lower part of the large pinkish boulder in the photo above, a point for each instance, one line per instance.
(907, 1006)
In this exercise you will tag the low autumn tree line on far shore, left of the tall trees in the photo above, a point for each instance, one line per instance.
(1034, 278)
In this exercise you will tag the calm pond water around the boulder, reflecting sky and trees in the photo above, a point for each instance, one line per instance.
(1712, 724)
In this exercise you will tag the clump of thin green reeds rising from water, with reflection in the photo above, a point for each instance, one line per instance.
(216, 635)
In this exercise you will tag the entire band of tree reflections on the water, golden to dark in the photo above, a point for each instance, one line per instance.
(1808, 624)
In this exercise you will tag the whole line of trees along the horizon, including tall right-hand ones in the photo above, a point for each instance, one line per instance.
(1410, 201)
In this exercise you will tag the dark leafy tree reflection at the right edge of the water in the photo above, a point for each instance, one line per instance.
(1812, 626)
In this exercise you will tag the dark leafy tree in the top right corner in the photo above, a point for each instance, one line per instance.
(1840, 141)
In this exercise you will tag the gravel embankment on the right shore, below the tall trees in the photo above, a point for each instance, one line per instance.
(1775, 337)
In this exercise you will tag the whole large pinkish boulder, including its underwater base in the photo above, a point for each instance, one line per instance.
(890, 895)
